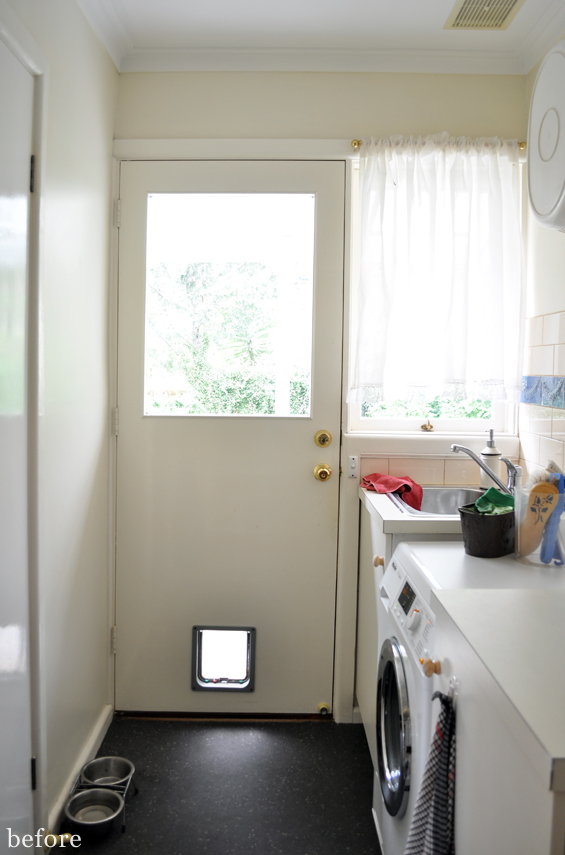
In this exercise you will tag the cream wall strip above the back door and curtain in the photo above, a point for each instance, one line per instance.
(289, 105)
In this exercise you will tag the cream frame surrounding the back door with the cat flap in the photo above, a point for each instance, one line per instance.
(254, 149)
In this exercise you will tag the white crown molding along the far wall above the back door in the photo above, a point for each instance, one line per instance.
(424, 61)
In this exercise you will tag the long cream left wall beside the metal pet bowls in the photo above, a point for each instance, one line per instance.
(73, 431)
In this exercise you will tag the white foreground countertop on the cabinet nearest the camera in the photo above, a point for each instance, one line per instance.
(519, 636)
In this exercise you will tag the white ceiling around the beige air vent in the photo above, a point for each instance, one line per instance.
(318, 35)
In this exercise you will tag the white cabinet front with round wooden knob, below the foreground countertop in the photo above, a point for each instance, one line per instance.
(495, 780)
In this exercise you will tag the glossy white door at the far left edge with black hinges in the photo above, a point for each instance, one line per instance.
(16, 110)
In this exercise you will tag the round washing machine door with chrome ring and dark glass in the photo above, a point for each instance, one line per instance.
(393, 727)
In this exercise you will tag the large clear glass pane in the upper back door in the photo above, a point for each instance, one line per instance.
(229, 292)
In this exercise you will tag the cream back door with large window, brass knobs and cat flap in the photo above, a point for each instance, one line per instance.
(220, 520)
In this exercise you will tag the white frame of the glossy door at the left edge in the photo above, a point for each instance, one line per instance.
(24, 47)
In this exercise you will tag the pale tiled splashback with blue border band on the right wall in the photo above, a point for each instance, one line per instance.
(542, 411)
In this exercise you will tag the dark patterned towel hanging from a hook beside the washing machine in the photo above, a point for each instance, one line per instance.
(432, 830)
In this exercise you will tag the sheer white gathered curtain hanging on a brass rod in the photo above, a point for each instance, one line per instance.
(440, 298)
